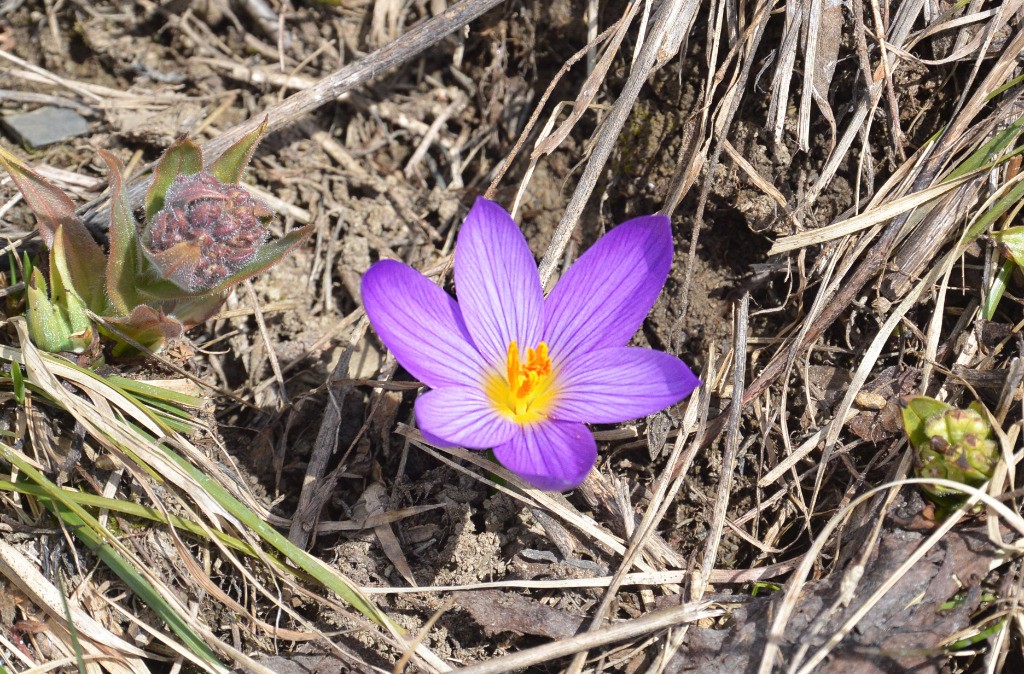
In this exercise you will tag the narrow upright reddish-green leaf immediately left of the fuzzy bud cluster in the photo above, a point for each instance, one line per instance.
(124, 261)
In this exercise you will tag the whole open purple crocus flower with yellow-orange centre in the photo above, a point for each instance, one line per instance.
(514, 371)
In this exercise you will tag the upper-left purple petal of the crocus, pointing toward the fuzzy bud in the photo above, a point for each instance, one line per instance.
(421, 325)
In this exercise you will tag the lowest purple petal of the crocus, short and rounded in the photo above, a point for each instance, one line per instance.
(550, 455)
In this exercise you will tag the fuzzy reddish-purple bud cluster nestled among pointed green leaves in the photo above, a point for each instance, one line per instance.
(206, 232)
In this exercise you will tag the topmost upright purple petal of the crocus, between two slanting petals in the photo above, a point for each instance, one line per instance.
(496, 279)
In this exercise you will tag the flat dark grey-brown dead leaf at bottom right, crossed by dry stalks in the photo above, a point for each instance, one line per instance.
(906, 631)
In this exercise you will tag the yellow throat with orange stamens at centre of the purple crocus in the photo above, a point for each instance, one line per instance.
(527, 392)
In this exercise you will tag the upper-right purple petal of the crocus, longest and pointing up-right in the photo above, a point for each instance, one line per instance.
(606, 296)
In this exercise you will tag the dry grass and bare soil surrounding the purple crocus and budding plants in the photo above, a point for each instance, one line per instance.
(844, 187)
